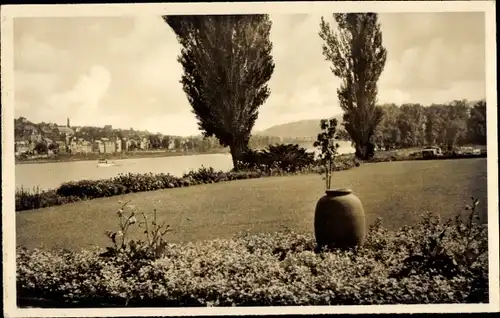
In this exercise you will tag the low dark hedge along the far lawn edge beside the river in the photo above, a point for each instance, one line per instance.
(133, 182)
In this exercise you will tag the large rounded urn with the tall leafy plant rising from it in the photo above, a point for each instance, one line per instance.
(339, 219)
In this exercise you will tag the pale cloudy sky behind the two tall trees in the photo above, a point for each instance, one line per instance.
(123, 71)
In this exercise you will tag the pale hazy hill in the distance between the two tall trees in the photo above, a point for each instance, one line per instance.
(301, 128)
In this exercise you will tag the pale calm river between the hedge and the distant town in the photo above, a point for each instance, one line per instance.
(52, 175)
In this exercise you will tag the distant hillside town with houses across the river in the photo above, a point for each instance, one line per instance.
(49, 140)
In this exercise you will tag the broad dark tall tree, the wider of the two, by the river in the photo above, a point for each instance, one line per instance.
(227, 63)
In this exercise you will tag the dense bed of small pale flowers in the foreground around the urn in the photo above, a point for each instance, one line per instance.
(429, 262)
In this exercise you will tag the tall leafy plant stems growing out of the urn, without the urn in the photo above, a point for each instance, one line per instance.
(328, 147)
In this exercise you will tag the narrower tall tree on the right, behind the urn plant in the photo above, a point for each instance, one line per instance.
(358, 59)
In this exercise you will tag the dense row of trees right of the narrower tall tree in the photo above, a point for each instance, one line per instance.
(448, 125)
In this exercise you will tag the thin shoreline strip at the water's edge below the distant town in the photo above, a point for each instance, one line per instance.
(129, 155)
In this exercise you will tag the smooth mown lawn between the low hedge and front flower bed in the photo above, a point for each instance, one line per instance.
(395, 191)
